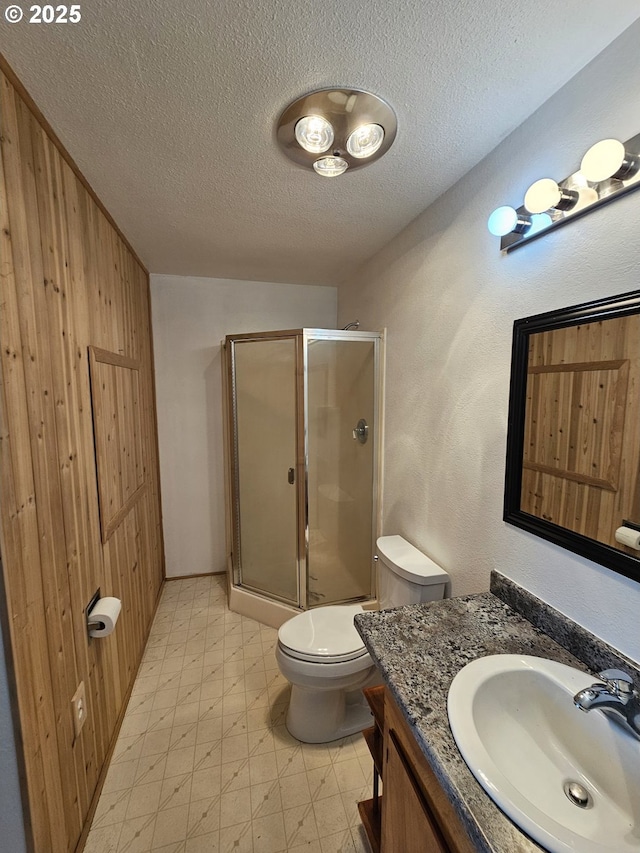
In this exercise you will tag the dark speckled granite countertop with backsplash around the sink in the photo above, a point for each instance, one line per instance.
(420, 648)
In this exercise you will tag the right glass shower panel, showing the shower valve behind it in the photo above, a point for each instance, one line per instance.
(341, 408)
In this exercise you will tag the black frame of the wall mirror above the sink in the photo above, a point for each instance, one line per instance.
(588, 312)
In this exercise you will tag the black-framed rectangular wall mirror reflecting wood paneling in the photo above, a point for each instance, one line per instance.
(573, 444)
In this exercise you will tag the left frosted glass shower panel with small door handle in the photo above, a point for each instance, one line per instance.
(265, 449)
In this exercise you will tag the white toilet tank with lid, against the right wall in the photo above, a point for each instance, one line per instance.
(406, 575)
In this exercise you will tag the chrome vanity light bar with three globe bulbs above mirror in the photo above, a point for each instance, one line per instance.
(609, 169)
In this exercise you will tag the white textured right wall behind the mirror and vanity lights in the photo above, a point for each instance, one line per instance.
(448, 298)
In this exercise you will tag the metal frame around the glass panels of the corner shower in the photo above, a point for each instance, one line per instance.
(302, 338)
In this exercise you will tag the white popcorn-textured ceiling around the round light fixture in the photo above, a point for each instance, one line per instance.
(169, 109)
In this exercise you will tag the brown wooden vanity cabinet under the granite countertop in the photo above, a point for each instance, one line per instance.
(416, 815)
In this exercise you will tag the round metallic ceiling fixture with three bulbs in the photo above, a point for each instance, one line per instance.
(348, 127)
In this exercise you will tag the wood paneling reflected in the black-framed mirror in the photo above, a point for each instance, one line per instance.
(581, 465)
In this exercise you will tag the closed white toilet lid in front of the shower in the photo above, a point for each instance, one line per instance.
(325, 632)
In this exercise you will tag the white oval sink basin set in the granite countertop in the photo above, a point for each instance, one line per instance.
(514, 721)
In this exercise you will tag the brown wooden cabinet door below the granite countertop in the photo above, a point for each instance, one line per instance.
(407, 823)
